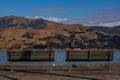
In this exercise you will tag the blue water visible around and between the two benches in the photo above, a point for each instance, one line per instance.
(60, 59)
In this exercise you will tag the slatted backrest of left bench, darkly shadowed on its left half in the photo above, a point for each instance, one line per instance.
(30, 55)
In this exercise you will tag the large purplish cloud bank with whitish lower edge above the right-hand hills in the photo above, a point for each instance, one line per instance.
(106, 17)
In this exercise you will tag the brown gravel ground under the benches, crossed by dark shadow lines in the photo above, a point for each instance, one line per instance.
(60, 72)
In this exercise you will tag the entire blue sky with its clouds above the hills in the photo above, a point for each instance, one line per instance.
(86, 12)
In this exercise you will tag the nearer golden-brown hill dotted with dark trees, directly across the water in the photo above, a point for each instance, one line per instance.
(27, 38)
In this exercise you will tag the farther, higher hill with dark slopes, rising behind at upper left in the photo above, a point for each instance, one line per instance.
(18, 21)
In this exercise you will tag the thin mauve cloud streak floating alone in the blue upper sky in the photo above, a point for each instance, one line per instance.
(52, 10)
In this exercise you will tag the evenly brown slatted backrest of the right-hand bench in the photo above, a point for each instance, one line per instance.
(89, 55)
